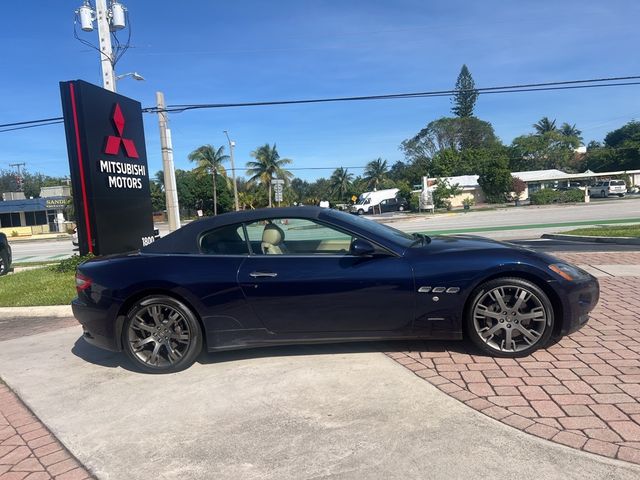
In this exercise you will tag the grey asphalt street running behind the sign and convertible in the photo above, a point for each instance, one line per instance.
(501, 224)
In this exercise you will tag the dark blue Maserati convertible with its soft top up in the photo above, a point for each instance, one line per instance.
(306, 274)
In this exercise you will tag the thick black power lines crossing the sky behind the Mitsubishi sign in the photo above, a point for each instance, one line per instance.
(519, 88)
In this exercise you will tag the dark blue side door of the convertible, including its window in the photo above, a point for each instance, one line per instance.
(315, 284)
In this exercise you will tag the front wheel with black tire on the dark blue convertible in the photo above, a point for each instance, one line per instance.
(509, 317)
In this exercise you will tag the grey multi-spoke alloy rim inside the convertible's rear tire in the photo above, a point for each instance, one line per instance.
(159, 335)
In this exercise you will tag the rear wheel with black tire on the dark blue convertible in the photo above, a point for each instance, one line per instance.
(161, 335)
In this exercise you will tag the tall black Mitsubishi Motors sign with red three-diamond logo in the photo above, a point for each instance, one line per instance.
(109, 173)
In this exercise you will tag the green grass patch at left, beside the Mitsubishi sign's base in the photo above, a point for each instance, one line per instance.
(41, 286)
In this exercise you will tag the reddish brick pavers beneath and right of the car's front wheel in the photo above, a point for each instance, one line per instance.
(583, 391)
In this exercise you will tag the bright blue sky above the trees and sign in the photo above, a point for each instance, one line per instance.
(206, 51)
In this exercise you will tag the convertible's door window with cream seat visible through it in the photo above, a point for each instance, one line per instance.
(295, 236)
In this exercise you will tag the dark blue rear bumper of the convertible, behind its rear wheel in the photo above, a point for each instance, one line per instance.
(100, 326)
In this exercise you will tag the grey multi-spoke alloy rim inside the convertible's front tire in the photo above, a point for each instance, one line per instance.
(510, 318)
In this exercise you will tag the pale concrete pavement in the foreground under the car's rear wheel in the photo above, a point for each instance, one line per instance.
(298, 412)
